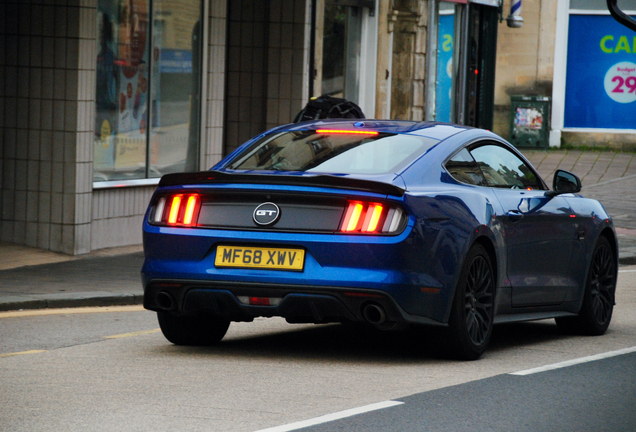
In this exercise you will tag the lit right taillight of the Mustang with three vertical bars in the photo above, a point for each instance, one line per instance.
(371, 218)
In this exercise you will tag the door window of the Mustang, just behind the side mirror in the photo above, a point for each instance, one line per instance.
(504, 169)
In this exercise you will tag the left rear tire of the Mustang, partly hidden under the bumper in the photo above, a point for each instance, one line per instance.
(197, 330)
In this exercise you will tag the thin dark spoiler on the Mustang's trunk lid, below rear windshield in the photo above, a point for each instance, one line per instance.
(332, 181)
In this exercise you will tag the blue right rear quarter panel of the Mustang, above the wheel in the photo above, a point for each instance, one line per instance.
(450, 217)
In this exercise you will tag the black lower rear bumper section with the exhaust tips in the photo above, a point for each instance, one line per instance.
(298, 303)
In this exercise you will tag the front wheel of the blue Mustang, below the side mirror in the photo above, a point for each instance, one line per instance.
(598, 300)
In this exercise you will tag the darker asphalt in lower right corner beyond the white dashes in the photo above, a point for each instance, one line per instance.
(593, 396)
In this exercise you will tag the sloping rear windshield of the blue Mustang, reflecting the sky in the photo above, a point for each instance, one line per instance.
(327, 152)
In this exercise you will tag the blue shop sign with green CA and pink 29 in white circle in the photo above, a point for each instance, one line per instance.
(600, 88)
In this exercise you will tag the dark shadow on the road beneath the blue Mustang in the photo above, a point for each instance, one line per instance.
(355, 344)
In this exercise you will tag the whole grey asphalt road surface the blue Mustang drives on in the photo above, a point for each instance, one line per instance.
(113, 371)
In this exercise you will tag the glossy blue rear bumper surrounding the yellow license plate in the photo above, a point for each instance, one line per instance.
(401, 269)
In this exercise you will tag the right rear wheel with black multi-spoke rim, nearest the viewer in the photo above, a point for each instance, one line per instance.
(471, 319)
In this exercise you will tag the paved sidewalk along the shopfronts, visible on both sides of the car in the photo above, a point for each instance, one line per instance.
(31, 278)
